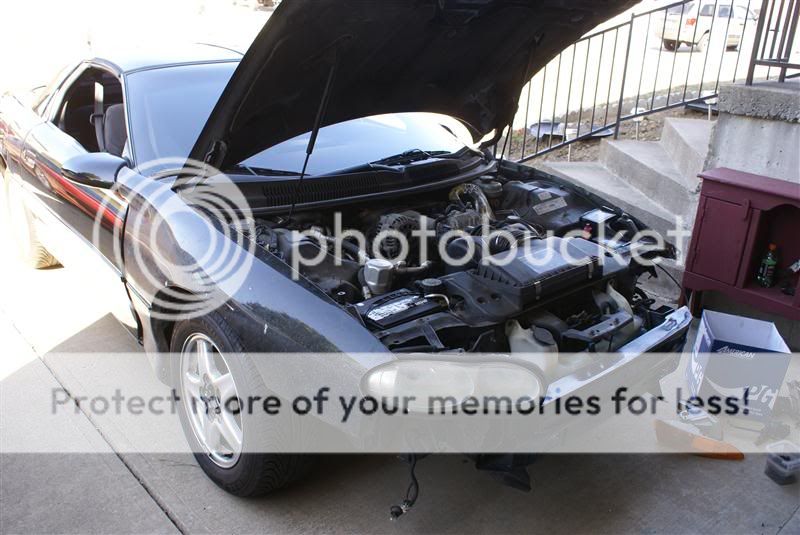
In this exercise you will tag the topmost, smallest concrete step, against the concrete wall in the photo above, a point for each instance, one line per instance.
(687, 141)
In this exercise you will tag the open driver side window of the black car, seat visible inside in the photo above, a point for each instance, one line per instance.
(93, 114)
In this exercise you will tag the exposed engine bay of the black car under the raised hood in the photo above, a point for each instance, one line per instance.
(495, 264)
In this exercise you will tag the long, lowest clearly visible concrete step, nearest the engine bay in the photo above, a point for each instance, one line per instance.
(597, 179)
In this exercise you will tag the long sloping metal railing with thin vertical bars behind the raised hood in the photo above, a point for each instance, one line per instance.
(656, 60)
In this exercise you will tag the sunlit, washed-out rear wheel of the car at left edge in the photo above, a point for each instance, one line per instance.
(22, 229)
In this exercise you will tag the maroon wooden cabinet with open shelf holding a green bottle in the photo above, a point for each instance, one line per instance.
(738, 216)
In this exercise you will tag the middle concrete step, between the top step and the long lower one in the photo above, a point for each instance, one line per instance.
(646, 166)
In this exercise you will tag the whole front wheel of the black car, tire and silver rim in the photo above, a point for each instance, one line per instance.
(213, 376)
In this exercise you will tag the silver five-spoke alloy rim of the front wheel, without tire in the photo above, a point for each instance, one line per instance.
(211, 400)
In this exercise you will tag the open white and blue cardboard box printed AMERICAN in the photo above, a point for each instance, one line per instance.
(734, 353)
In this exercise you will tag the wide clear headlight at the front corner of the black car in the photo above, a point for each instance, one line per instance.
(447, 384)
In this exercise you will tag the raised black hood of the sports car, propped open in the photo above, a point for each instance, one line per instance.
(465, 58)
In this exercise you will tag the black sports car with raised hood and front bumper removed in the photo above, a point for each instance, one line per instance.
(378, 117)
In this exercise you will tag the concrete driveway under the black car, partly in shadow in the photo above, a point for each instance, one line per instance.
(120, 487)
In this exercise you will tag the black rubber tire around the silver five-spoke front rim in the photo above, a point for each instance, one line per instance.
(254, 474)
